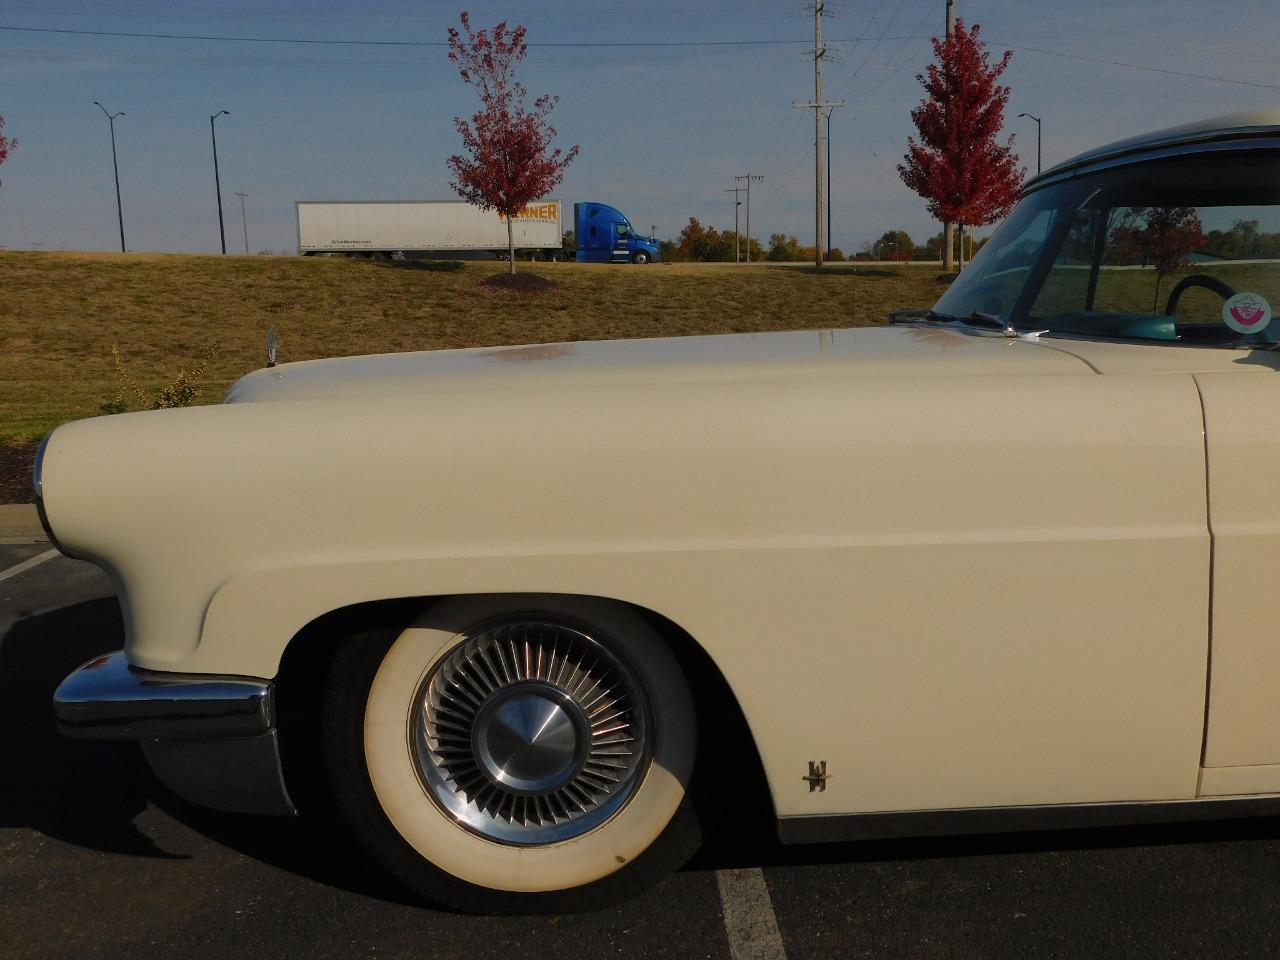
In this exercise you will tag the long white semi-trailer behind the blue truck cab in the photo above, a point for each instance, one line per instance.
(392, 228)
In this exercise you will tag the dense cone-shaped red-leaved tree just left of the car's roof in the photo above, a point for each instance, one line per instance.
(957, 164)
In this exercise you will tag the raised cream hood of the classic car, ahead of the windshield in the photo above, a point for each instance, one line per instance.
(904, 351)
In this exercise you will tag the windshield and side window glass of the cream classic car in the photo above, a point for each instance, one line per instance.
(1185, 250)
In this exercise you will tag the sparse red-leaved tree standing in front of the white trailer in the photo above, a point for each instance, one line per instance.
(510, 162)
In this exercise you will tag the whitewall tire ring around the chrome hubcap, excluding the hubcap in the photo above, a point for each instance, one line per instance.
(372, 705)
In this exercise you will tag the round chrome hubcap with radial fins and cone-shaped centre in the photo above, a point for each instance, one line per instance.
(531, 733)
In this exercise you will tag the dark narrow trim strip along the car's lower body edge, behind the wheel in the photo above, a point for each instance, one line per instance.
(1009, 820)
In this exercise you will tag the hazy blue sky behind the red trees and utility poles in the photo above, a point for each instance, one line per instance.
(664, 130)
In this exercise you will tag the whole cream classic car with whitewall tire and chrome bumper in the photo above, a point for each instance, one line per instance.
(1002, 565)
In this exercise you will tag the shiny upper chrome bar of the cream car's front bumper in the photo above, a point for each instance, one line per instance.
(108, 700)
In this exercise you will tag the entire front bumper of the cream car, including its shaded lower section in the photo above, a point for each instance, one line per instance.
(212, 740)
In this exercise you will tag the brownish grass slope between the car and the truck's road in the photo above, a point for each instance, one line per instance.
(61, 314)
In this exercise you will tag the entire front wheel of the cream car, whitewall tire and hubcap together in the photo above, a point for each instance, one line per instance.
(510, 755)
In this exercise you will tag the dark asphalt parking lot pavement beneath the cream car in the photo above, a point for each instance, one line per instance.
(98, 861)
